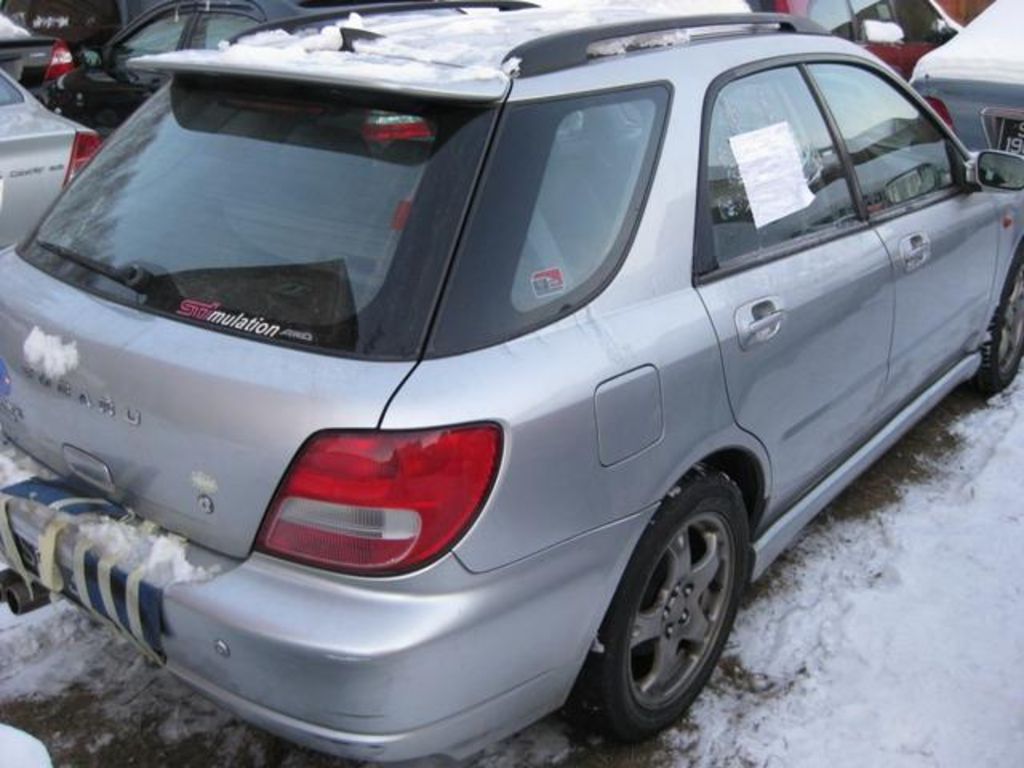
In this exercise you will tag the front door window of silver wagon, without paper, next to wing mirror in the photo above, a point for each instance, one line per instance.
(899, 153)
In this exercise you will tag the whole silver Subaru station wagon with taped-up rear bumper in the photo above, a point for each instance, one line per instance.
(405, 377)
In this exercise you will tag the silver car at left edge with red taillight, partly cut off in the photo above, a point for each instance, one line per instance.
(39, 154)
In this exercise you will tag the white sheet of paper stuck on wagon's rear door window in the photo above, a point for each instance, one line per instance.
(773, 174)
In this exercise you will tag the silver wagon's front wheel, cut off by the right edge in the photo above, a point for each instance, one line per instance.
(1002, 353)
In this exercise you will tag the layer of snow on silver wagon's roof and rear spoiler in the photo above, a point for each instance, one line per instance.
(430, 53)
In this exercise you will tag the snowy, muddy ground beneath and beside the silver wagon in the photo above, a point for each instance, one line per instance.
(891, 635)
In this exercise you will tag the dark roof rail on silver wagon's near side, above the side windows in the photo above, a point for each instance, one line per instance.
(566, 50)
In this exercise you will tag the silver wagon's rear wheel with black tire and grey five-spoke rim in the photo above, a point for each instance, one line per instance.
(616, 694)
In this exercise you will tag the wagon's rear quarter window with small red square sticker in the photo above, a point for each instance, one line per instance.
(558, 207)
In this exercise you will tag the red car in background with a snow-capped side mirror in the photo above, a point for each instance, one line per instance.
(900, 32)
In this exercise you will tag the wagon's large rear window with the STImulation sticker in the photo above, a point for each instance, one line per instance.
(308, 218)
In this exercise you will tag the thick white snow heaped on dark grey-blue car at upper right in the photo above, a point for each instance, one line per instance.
(989, 49)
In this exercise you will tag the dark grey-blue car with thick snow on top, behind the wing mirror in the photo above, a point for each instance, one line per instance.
(976, 83)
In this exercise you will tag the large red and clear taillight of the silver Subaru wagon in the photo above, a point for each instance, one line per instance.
(381, 502)
